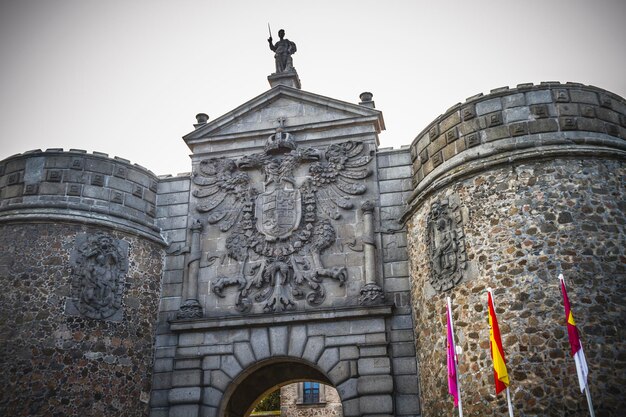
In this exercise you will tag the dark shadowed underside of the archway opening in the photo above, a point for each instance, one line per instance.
(260, 379)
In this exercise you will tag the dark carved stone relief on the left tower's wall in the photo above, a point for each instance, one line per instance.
(99, 266)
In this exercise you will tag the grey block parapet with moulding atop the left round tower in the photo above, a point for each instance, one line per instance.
(75, 186)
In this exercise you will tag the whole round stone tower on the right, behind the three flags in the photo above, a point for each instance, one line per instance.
(510, 189)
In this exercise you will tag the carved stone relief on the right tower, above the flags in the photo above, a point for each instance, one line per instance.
(446, 245)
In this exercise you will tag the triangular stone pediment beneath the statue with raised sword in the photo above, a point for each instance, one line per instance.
(300, 110)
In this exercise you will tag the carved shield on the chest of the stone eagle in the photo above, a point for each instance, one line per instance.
(278, 212)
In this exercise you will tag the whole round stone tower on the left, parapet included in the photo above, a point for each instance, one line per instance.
(80, 269)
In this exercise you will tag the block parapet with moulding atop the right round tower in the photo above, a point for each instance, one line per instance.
(525, 123)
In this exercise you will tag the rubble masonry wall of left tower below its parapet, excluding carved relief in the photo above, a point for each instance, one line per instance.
(55, 364)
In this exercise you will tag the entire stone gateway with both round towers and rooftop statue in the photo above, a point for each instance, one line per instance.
(299, 252)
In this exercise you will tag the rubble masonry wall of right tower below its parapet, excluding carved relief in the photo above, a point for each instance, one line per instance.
(520, 222)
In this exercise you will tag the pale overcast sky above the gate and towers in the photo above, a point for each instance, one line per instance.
(127, 77)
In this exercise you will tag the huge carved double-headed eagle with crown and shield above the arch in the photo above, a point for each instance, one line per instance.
(279, 232)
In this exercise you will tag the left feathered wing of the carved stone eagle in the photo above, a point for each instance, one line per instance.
(224, 191)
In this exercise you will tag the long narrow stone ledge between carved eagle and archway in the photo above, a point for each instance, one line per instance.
(228, 322)
